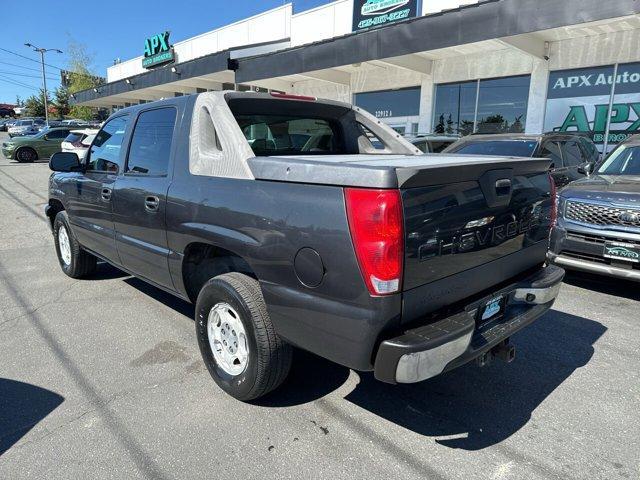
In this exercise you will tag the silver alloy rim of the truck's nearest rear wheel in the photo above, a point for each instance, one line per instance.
(228, 339)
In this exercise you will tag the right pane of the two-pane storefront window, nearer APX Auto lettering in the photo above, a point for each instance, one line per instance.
(502, 105)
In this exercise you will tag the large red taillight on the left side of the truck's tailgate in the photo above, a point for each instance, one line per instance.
(375, 222)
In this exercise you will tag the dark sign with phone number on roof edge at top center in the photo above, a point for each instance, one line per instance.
(376, 13)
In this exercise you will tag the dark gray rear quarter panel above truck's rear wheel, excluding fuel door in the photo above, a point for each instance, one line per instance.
(267, 223)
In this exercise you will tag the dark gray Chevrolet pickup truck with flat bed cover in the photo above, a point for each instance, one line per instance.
(290, 221)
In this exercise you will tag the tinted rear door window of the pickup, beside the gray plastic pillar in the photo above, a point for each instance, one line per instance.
(151, 142)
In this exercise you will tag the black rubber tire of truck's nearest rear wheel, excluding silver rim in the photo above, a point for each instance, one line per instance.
(269, 358)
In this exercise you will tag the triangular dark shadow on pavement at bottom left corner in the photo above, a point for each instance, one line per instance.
(22, 407)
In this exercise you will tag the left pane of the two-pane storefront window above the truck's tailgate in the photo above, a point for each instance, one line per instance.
(455, 108)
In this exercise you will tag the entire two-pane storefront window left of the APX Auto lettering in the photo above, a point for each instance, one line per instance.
(501, 106)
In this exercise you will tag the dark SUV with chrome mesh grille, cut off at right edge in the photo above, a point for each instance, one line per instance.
(599, 218)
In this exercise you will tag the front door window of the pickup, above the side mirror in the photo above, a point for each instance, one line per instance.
(104, 155)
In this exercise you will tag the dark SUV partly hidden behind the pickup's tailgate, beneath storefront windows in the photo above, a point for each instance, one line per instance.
(571, 154)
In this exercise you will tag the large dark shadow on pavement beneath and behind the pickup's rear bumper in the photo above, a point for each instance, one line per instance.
(469, 408)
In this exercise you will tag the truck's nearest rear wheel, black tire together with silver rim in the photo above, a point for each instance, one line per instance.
(238, 342)
